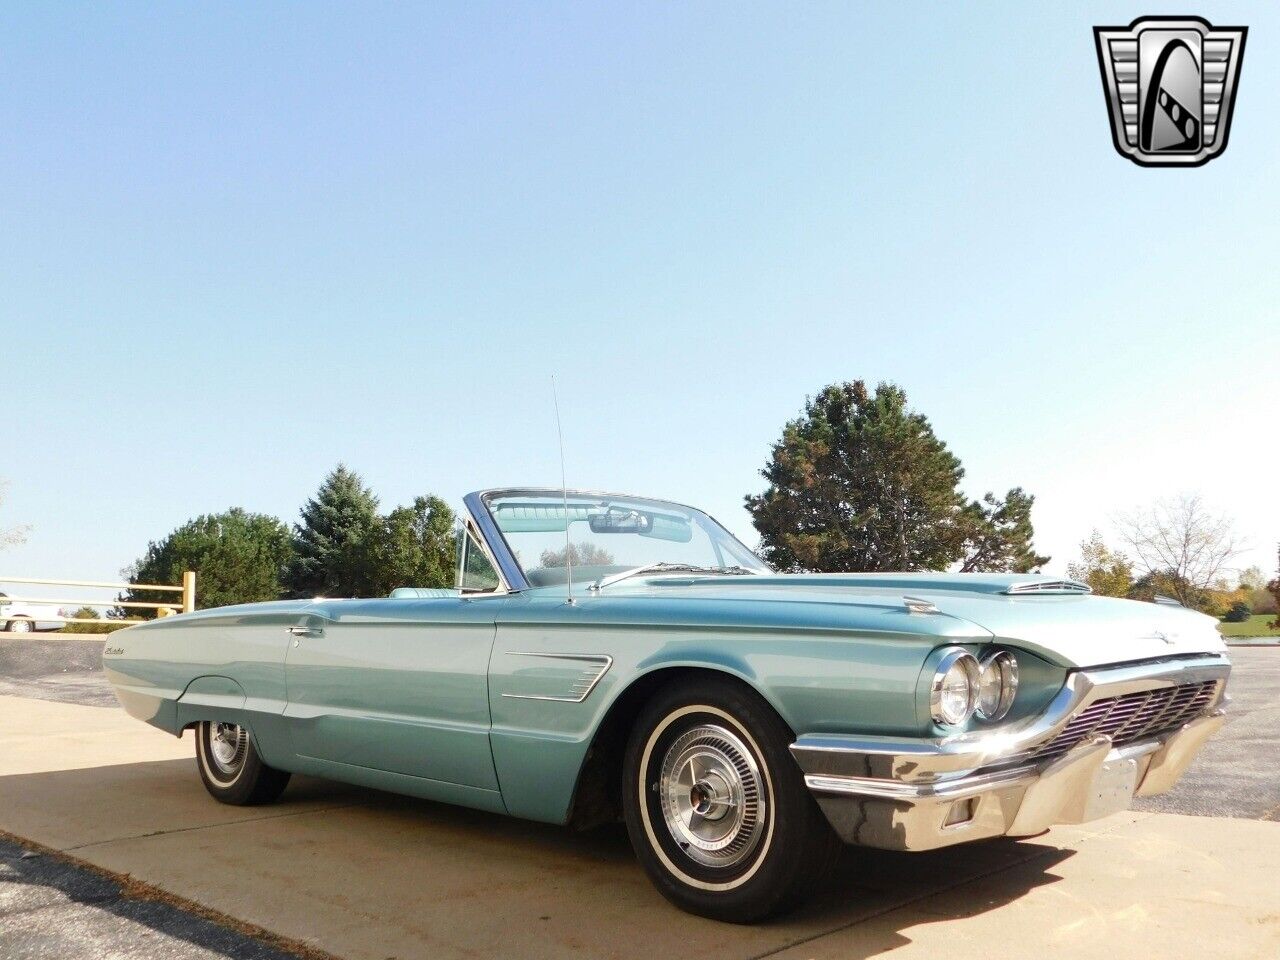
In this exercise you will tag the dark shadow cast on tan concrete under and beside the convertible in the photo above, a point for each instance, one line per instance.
(359, 871)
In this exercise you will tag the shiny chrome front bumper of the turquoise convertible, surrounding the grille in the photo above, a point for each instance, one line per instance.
(902, 794)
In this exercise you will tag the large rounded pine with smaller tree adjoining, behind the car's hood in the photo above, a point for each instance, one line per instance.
(862, 483)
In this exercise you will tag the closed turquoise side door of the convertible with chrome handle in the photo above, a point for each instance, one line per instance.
(395, 685)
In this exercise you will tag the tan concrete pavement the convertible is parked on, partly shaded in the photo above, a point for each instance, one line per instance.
(371, 876)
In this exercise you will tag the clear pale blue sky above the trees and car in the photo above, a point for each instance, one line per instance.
(243, 244)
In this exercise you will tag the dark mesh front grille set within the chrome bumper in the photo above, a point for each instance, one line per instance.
(1132, 717)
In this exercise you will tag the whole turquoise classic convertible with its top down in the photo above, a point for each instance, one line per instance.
(612, 657)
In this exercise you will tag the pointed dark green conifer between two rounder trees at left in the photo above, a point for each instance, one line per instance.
(336, 543)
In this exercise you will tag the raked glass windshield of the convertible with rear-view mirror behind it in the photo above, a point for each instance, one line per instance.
(605, 536)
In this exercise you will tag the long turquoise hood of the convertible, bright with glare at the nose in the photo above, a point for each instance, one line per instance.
(1068, 628)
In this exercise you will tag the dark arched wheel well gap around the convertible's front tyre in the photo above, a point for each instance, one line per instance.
(598, 796)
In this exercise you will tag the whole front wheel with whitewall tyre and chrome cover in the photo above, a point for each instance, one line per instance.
(716, 807)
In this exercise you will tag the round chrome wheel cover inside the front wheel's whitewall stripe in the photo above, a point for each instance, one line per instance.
(712, 797)
